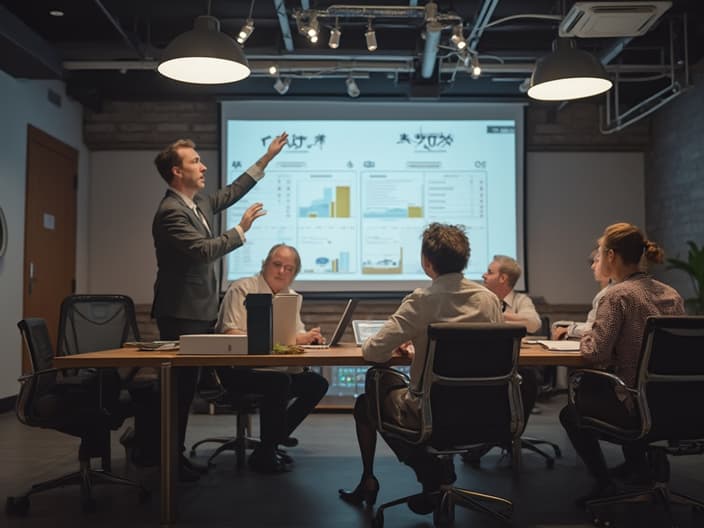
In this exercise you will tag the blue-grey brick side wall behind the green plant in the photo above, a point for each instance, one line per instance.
(674, 177)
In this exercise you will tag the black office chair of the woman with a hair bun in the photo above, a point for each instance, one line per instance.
(667, 397)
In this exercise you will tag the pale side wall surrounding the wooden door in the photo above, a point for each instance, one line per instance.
(24, 102)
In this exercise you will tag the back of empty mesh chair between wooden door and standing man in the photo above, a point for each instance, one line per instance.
(96, 322)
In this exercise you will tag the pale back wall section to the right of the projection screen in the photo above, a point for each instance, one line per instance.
(570, 198)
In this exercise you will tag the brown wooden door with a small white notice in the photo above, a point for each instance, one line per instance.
(50, 228)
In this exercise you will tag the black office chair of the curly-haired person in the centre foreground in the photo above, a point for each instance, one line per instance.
(470, 395)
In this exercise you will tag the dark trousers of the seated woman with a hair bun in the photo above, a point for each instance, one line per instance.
(600, 401)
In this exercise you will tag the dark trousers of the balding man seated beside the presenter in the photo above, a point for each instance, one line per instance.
(286, 398)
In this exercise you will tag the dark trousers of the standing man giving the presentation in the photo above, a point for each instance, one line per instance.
(170, 328)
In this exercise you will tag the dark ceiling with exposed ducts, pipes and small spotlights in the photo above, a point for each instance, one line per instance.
(111, 48)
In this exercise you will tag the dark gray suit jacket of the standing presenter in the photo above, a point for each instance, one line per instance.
(186, 285)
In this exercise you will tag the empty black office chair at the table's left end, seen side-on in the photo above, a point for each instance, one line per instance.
(86, 405)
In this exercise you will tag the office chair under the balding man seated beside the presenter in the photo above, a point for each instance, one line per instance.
(243, 406)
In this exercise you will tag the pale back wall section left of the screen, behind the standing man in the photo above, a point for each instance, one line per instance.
(125, 192)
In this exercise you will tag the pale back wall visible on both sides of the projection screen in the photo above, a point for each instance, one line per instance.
(570, 198)
